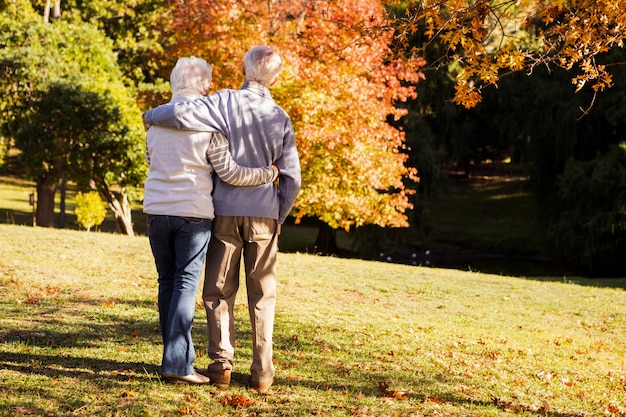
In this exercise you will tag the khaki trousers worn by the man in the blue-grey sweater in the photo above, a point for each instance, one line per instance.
(257, 239)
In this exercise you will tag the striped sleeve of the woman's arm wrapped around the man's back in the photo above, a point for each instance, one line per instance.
(230, 171)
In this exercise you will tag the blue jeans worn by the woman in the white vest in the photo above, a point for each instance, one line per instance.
(179, 246)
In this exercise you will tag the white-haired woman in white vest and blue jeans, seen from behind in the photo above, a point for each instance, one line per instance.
(179, 207)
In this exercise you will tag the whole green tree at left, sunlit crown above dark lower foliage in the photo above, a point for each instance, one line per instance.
(68, 108)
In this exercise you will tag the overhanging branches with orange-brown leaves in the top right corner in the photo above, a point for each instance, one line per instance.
(487, 37)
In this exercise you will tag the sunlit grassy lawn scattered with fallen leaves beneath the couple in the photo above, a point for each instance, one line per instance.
(80, 337)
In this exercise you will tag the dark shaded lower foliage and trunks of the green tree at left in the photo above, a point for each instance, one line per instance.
(78, 134)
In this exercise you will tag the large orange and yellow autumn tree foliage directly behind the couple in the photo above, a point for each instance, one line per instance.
(338, 85)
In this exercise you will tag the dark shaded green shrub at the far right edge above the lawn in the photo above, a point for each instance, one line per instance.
(588, 213)
